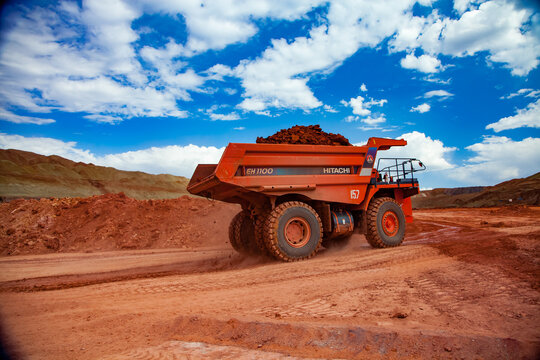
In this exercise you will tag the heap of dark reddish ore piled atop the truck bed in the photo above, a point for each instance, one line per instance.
(311, 135)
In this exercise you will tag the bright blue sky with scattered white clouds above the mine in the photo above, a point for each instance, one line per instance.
(161, 86)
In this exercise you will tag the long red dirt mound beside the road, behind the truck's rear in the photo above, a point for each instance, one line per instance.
(109, 222)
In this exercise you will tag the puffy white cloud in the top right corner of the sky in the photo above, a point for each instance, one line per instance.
(500, 28)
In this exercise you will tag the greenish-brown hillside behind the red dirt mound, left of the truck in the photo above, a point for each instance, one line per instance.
(27, 175)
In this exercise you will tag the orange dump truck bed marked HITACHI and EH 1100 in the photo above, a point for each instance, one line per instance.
(320, 172)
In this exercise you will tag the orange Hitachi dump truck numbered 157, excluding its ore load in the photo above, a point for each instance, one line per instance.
(296, 198)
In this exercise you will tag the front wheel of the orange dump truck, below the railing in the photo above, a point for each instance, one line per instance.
(385, 223)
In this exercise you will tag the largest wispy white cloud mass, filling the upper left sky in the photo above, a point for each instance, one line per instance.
(83, 58)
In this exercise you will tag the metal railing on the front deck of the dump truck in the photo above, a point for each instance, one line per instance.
(399, 171)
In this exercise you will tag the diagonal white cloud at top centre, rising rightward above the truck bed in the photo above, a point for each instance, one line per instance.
(278, 78)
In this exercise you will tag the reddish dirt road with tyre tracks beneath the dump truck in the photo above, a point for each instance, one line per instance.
(465, 284)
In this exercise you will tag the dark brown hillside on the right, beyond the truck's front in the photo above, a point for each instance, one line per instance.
(524, 191)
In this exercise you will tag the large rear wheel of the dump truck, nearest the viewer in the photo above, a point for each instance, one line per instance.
(293, 231)
